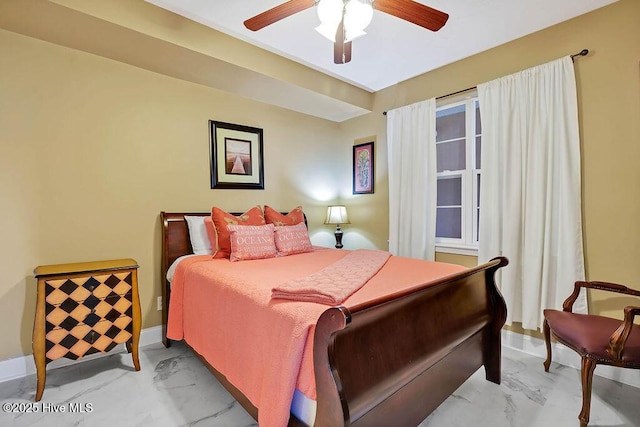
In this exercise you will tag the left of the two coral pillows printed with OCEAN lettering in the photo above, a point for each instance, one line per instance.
(251, 242)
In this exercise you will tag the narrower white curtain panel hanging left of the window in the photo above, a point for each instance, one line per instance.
(411, 136)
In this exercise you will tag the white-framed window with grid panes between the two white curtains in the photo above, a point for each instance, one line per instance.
(458, 143)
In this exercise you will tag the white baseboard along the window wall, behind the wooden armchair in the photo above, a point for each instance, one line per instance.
(565, 356)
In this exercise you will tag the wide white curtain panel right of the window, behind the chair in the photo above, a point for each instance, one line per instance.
(530, 203)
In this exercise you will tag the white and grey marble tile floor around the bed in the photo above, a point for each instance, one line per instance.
(175, 389)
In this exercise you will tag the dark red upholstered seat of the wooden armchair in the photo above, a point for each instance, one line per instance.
(589, 334)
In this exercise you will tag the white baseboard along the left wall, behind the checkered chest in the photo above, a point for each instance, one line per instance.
(19, 367)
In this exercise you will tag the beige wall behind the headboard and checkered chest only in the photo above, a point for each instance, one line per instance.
(91, 150)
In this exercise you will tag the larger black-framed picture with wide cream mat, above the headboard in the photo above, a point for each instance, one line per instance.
(236, 156)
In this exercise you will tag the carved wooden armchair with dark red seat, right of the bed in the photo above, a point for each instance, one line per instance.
(597, 339)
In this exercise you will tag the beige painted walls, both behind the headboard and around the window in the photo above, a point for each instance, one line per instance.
(91, 150)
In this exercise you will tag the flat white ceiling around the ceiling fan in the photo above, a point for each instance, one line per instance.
(393, 50)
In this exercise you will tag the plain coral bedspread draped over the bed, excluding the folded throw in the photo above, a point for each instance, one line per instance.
(264, 346)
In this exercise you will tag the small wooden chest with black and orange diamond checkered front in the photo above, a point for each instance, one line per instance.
(85, 308)
